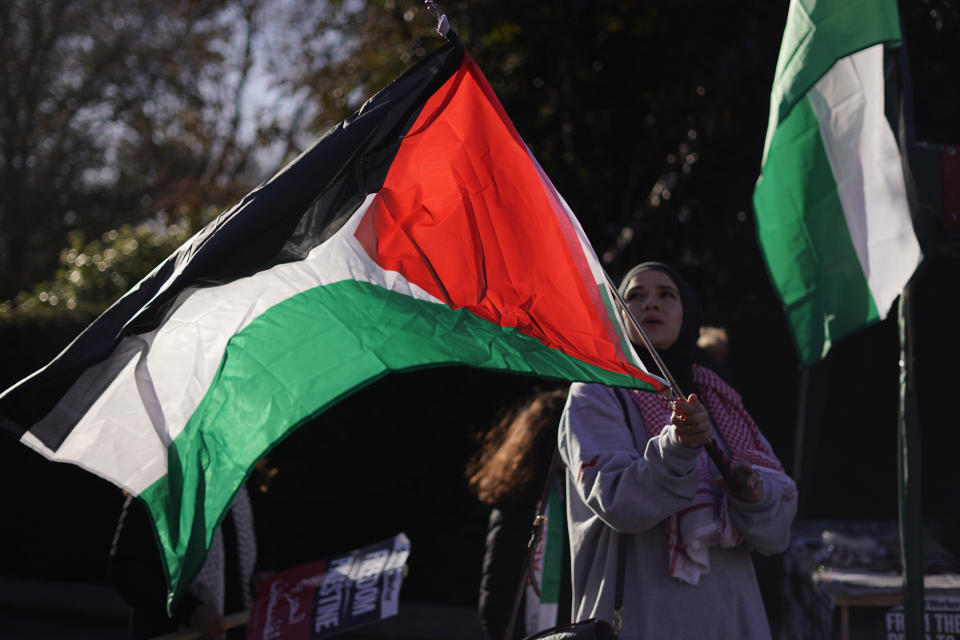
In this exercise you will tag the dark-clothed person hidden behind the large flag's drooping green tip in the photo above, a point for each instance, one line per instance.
(223, 586)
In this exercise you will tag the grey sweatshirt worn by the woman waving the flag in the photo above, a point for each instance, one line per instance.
(621, 486)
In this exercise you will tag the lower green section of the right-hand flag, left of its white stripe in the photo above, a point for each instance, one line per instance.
(805, 240)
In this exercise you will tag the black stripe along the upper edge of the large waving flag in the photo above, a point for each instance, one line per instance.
(280, 221)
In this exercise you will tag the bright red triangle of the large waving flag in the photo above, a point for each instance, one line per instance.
(466, 214)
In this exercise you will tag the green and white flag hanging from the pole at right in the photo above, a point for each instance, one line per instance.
(832, 215)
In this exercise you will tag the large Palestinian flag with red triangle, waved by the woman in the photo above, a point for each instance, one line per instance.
(418, 232)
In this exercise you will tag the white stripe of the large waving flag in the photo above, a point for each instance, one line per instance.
(159, 378)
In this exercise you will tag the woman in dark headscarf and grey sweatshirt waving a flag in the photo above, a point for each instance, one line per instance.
(647, 509)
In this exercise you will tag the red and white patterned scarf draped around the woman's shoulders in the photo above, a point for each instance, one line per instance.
(704, 524)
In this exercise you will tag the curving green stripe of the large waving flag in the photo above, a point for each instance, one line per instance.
(274, 377)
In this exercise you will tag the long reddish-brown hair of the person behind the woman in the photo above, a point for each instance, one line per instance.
(514, 456)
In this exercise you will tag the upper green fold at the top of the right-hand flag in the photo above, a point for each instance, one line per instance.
(817, 34)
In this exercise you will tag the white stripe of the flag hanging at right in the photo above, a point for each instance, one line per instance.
(848, 102)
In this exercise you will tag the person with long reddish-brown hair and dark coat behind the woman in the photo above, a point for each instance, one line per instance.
(508, 474)
